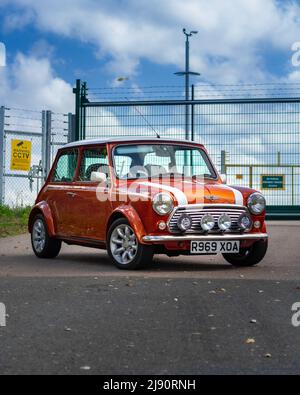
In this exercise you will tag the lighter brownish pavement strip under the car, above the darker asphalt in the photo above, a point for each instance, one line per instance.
(281, 262)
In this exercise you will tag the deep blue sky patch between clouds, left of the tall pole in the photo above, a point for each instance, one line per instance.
(72, 58)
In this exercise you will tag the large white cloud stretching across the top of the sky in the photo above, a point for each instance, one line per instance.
(228, 47)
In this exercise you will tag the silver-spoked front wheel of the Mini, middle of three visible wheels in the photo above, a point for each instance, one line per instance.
(124, 249)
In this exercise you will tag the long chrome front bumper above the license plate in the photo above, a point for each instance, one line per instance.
(225, 237)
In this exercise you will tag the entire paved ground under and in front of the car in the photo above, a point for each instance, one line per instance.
(78, 314)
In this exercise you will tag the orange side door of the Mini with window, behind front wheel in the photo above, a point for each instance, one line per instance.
(92, 200)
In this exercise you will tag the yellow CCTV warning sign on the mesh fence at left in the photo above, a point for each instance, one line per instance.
(20, 155)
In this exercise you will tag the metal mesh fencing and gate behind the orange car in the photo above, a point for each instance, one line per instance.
(254, 140)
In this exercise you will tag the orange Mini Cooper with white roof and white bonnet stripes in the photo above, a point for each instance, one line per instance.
(137, 197)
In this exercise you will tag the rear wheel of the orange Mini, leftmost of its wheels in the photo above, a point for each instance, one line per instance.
(43, 245)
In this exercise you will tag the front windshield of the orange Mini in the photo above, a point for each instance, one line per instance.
(161, 160)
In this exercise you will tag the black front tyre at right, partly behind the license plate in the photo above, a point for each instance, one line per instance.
(248, 256)
